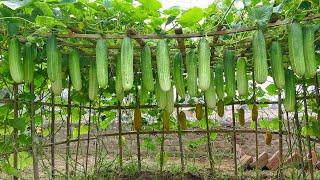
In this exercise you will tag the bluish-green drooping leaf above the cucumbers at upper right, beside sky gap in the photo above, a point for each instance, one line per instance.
(261, 15)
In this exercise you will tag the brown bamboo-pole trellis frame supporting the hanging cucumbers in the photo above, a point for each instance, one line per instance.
(179, 36)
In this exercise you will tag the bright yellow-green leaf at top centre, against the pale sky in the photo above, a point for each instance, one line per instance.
(191, 17)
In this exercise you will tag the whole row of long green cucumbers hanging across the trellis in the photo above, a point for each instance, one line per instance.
(218, 84)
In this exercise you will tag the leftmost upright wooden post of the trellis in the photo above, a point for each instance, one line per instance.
(15, 131)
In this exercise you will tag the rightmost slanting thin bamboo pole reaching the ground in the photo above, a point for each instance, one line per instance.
(308, 136)
